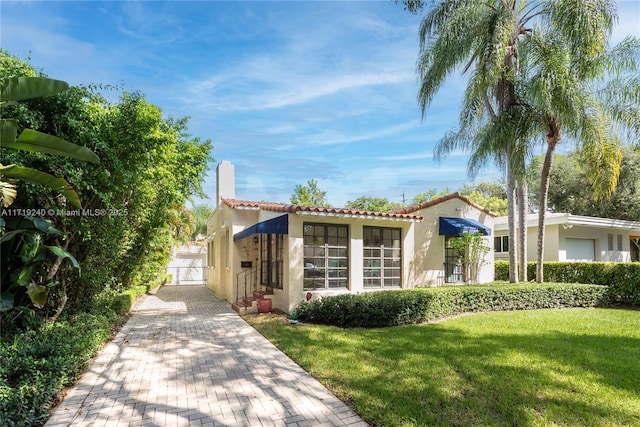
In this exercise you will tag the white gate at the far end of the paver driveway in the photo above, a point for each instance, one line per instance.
(188, 265)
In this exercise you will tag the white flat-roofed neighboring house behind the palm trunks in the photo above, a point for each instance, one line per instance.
(574, 238)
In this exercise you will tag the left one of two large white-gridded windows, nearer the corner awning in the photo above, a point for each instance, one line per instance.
(326, 256)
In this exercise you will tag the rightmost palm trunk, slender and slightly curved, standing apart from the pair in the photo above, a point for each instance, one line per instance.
(553, 137)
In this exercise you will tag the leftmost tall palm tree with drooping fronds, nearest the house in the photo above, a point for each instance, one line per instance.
(482, 38)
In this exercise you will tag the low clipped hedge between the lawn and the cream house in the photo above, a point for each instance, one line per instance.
(402, 307)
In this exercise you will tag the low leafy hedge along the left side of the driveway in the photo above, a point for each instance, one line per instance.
(36, 365)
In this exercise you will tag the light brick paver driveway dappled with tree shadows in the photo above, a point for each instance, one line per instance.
(186, 358)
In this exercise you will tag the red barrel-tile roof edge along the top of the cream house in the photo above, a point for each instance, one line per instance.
(402, 213)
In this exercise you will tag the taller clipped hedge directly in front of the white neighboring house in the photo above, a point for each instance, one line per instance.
(622, 278)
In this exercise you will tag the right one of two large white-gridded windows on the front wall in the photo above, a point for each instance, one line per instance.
(382, 257)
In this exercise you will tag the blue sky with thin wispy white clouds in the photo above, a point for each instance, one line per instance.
(287, 91)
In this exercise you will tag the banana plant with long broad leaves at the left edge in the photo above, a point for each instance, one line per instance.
(31, 272)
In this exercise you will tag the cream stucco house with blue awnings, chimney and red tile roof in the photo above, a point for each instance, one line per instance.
(292, 250)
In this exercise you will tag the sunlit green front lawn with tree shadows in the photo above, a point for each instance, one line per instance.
(575, 367)
